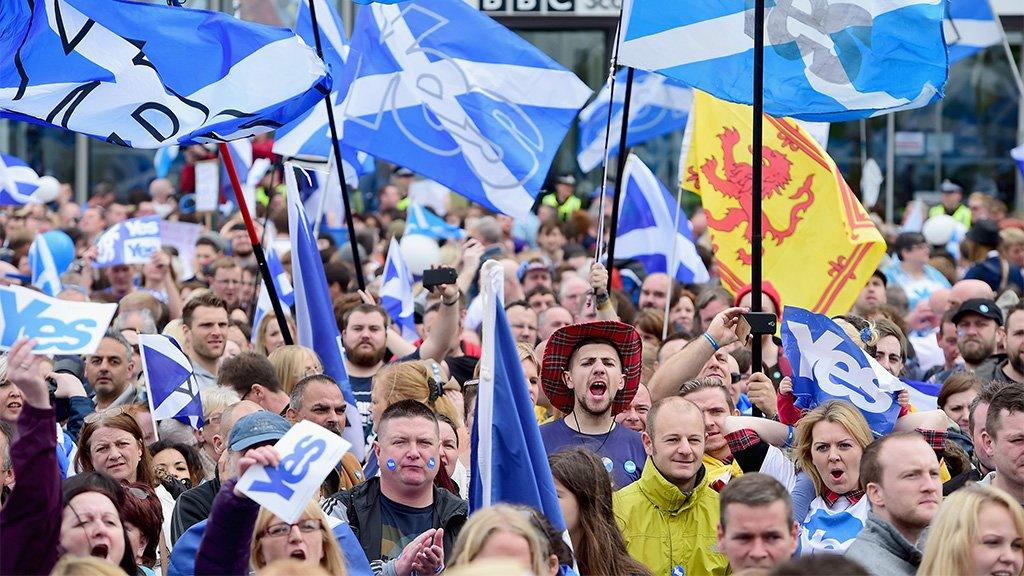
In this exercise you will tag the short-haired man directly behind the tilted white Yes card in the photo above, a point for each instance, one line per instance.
(318, 399)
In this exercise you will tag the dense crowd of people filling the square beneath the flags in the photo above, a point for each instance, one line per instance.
(671, 455)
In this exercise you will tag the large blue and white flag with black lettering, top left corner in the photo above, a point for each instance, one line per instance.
(198, 77)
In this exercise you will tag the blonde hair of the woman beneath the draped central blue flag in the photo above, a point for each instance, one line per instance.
(500, 518)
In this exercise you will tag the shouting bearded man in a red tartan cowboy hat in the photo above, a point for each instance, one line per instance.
(591, 373)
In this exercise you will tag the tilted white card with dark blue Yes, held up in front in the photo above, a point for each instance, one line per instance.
(309, 454)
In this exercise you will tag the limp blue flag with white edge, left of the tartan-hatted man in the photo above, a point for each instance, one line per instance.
(508, 459)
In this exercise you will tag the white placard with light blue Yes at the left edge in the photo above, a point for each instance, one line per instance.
(59, 326)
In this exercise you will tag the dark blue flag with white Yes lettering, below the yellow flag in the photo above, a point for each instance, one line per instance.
(828, 365)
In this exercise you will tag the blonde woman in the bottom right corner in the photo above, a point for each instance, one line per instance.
(979, 531)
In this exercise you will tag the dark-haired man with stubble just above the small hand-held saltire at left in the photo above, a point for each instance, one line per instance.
(204, 322)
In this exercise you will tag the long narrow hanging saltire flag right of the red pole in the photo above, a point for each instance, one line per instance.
(314, 314)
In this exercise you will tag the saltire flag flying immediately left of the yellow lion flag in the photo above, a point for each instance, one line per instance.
(647, 222)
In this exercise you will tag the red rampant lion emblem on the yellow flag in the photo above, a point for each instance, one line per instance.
(737, 182)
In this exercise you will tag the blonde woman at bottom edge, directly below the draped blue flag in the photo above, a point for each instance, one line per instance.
(504, 532)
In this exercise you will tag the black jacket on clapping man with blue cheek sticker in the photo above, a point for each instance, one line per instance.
(364, 513)
